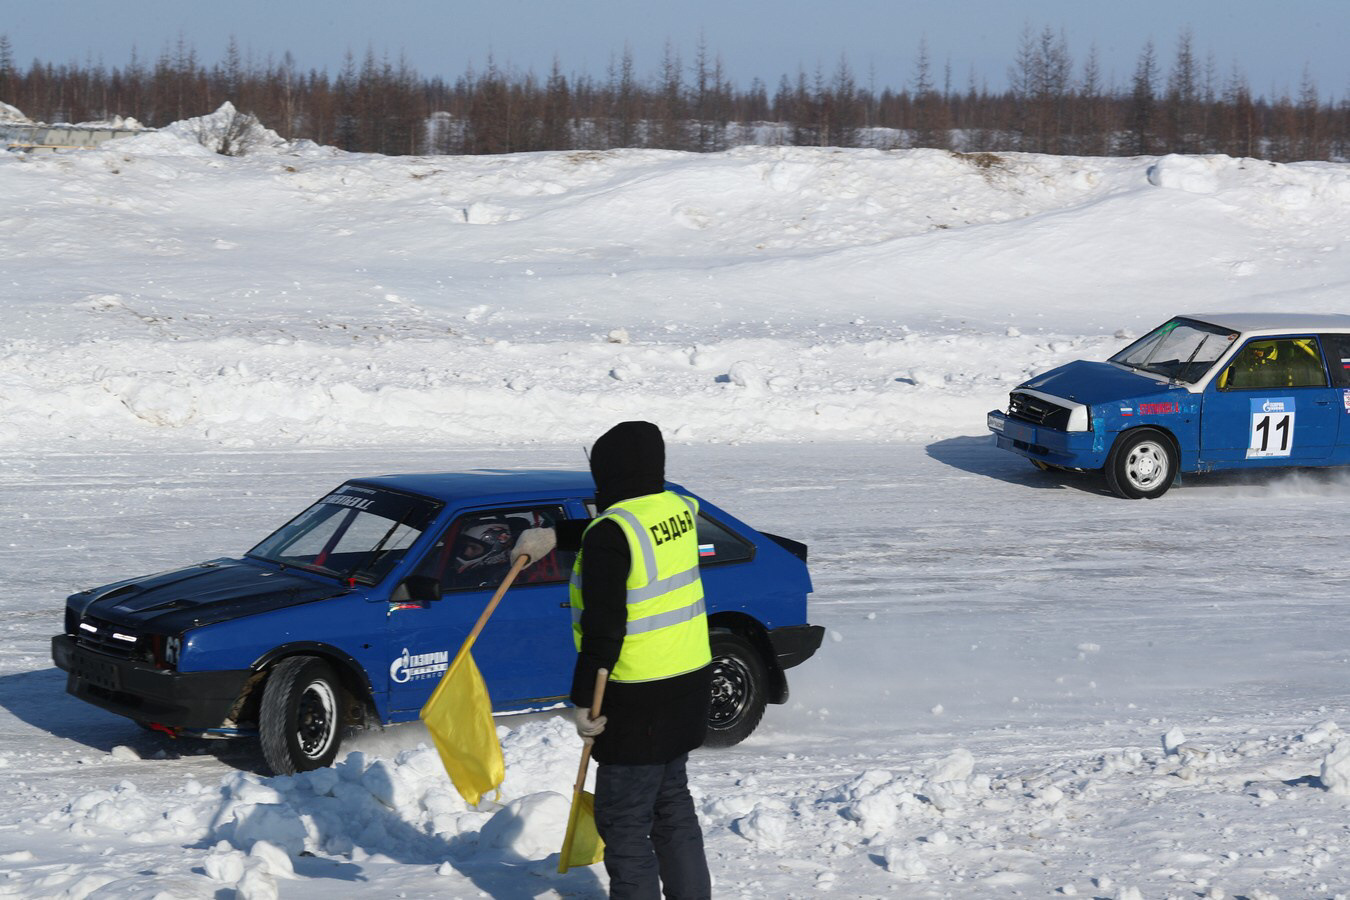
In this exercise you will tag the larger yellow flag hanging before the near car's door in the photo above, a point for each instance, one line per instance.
(460, 717)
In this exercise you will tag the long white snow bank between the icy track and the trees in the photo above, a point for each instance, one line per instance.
(304, 296)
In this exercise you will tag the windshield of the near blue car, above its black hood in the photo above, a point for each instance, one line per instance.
(356, 532)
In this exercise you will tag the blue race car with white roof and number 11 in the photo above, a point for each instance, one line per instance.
(1197, 395)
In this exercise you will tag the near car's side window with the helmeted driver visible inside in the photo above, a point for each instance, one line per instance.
(475, 553)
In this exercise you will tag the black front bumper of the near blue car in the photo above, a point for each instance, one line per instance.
(194, 701)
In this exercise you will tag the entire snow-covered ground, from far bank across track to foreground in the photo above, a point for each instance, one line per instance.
(1029, 687)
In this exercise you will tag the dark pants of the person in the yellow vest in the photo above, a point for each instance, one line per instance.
(651, 833)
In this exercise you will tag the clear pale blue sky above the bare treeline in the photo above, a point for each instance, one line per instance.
(1271, 43)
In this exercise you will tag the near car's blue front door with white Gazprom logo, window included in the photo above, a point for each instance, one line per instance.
(524, 652)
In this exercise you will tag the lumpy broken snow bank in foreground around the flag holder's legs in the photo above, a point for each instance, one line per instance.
(940, 822)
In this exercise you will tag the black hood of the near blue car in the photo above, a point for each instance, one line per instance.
(202, 594)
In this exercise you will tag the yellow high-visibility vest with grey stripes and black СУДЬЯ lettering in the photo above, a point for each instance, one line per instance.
(668, 623)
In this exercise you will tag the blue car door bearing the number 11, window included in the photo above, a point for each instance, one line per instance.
(1271, 405)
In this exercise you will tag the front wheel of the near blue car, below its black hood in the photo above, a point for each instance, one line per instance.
(300, 716)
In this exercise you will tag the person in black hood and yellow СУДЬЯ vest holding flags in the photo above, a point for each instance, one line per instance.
(638, 611)
